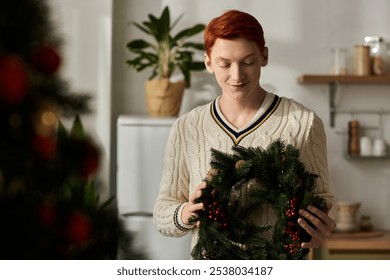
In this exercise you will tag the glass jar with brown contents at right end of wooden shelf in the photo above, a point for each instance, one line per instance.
(377, 52)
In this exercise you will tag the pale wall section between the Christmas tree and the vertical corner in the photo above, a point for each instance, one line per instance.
(85, 28)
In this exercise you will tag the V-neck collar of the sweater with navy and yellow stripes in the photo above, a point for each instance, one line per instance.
(269, 105)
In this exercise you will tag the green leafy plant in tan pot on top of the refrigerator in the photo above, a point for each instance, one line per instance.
(164, 55)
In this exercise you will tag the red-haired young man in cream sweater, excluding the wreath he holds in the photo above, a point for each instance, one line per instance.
(244, 114)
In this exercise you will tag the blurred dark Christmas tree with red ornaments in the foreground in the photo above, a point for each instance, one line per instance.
(49, 205)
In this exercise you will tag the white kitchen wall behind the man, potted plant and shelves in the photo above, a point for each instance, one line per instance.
(300, 35)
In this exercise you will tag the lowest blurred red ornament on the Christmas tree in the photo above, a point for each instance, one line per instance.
(78, 228)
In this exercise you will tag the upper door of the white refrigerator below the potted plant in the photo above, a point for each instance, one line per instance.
(140, 156)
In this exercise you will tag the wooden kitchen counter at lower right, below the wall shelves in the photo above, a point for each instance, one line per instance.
(358, 245)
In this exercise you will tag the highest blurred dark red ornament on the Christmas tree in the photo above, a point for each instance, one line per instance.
(46, 60)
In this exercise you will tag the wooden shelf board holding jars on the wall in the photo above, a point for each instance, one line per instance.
(344, 79)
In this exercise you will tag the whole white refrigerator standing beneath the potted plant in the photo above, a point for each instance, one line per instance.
(140, 151)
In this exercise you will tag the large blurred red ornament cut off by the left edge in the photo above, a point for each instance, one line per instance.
(13, 79)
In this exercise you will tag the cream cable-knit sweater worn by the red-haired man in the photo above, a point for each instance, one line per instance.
(187, 155)
